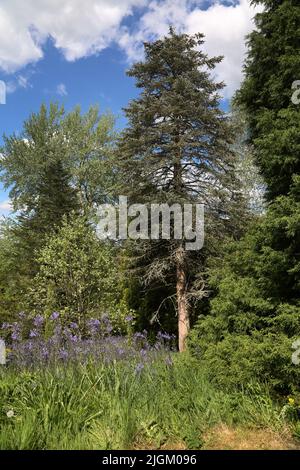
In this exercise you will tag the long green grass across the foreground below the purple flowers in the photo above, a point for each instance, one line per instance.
(101, 406)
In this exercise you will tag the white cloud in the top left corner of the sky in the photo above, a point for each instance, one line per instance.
(77, 28)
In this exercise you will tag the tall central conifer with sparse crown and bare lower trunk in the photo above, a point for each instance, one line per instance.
(176, 149)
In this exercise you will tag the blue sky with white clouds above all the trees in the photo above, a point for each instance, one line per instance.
(76, 52)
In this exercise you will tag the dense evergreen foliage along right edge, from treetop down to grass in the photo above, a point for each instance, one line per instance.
(255, 315)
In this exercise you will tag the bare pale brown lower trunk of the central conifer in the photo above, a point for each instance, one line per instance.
(182, 304)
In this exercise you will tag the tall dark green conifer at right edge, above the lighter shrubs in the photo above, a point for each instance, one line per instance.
(271, 70)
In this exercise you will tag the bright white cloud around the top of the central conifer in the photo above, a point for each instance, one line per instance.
(224, 27)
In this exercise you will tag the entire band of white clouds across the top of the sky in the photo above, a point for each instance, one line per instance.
(80, 29)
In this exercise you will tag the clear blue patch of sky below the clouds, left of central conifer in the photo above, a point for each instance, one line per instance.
(97, 79)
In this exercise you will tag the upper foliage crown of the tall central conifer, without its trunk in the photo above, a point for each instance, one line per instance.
(177, 132)
